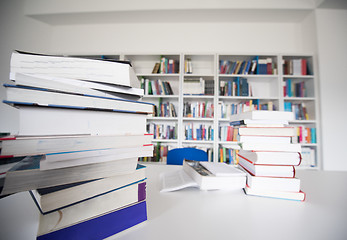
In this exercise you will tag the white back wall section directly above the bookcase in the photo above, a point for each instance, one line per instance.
(178, 37)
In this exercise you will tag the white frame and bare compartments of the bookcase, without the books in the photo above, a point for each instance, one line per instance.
(265, 88)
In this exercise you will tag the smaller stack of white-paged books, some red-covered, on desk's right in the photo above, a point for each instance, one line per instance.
(267, 154)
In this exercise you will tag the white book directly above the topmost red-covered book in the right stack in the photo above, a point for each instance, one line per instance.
(265, 146)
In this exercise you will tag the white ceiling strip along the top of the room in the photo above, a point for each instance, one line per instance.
(77, 12)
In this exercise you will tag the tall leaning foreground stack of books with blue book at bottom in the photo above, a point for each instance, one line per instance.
(81, 132)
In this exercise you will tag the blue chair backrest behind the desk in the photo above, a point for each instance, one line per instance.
(177, 155)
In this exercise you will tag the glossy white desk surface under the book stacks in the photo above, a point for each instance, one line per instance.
(194, 214)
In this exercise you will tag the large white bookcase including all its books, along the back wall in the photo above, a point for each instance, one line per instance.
(279, 82)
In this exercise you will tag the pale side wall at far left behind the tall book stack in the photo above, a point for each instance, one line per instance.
(22, 33)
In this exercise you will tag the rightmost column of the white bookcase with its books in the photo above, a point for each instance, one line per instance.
(300, 96)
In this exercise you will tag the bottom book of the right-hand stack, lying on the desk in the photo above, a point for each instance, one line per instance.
(286, 195)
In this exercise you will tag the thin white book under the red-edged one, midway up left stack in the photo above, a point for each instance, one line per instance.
(113, 154)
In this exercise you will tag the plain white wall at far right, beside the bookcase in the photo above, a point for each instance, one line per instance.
(332, 40)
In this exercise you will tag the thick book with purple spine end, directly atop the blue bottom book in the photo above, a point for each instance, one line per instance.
(115, 199)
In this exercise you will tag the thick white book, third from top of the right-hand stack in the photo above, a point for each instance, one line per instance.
(266, 131)
